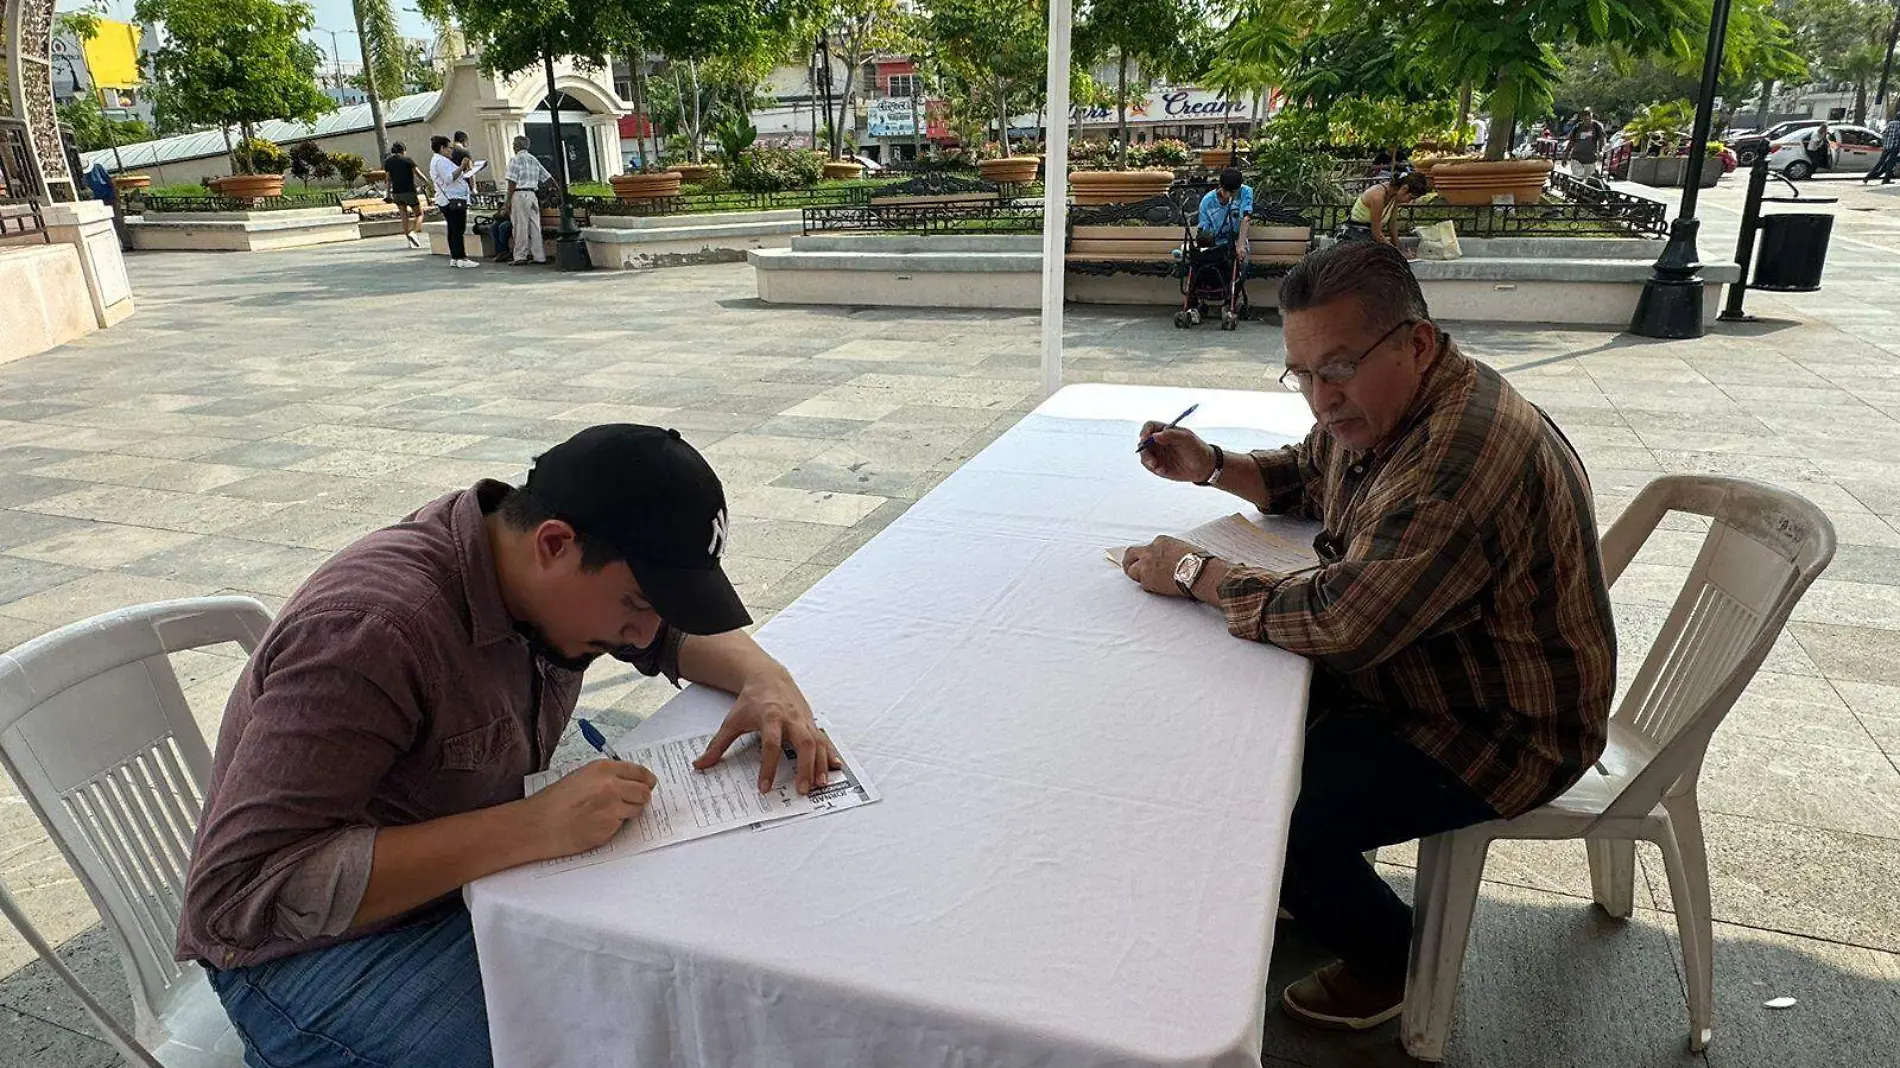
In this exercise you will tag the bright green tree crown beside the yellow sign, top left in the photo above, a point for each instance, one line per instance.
(235, 62)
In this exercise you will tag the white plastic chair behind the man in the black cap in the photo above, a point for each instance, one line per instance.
(96, 733)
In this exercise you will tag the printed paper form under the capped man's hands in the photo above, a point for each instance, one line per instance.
(693, 805)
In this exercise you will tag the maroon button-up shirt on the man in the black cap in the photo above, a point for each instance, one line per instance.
(392, 689)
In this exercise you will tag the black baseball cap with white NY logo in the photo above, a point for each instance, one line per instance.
(651, 497)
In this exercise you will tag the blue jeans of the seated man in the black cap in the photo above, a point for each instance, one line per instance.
(406, 999)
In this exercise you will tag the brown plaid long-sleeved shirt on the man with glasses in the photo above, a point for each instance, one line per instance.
(1460, 592)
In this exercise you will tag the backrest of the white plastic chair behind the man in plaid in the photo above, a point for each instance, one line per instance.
(1762, 552)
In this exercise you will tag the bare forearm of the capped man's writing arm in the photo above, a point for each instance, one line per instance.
(423, 862)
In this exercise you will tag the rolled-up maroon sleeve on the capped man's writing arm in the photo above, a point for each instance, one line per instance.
(284, 850)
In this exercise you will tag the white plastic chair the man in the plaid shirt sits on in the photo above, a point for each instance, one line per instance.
(1762, 552)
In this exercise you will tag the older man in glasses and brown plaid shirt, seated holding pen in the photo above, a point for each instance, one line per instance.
(1458, 619)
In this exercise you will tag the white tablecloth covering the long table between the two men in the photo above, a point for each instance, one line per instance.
(1086, 795)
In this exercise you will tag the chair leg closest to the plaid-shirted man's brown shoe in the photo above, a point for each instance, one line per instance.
(1451, 869)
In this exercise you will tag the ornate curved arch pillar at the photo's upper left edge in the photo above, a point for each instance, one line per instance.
(33, 162)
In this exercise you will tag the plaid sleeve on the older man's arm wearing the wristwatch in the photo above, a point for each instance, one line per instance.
(1397, 582)
